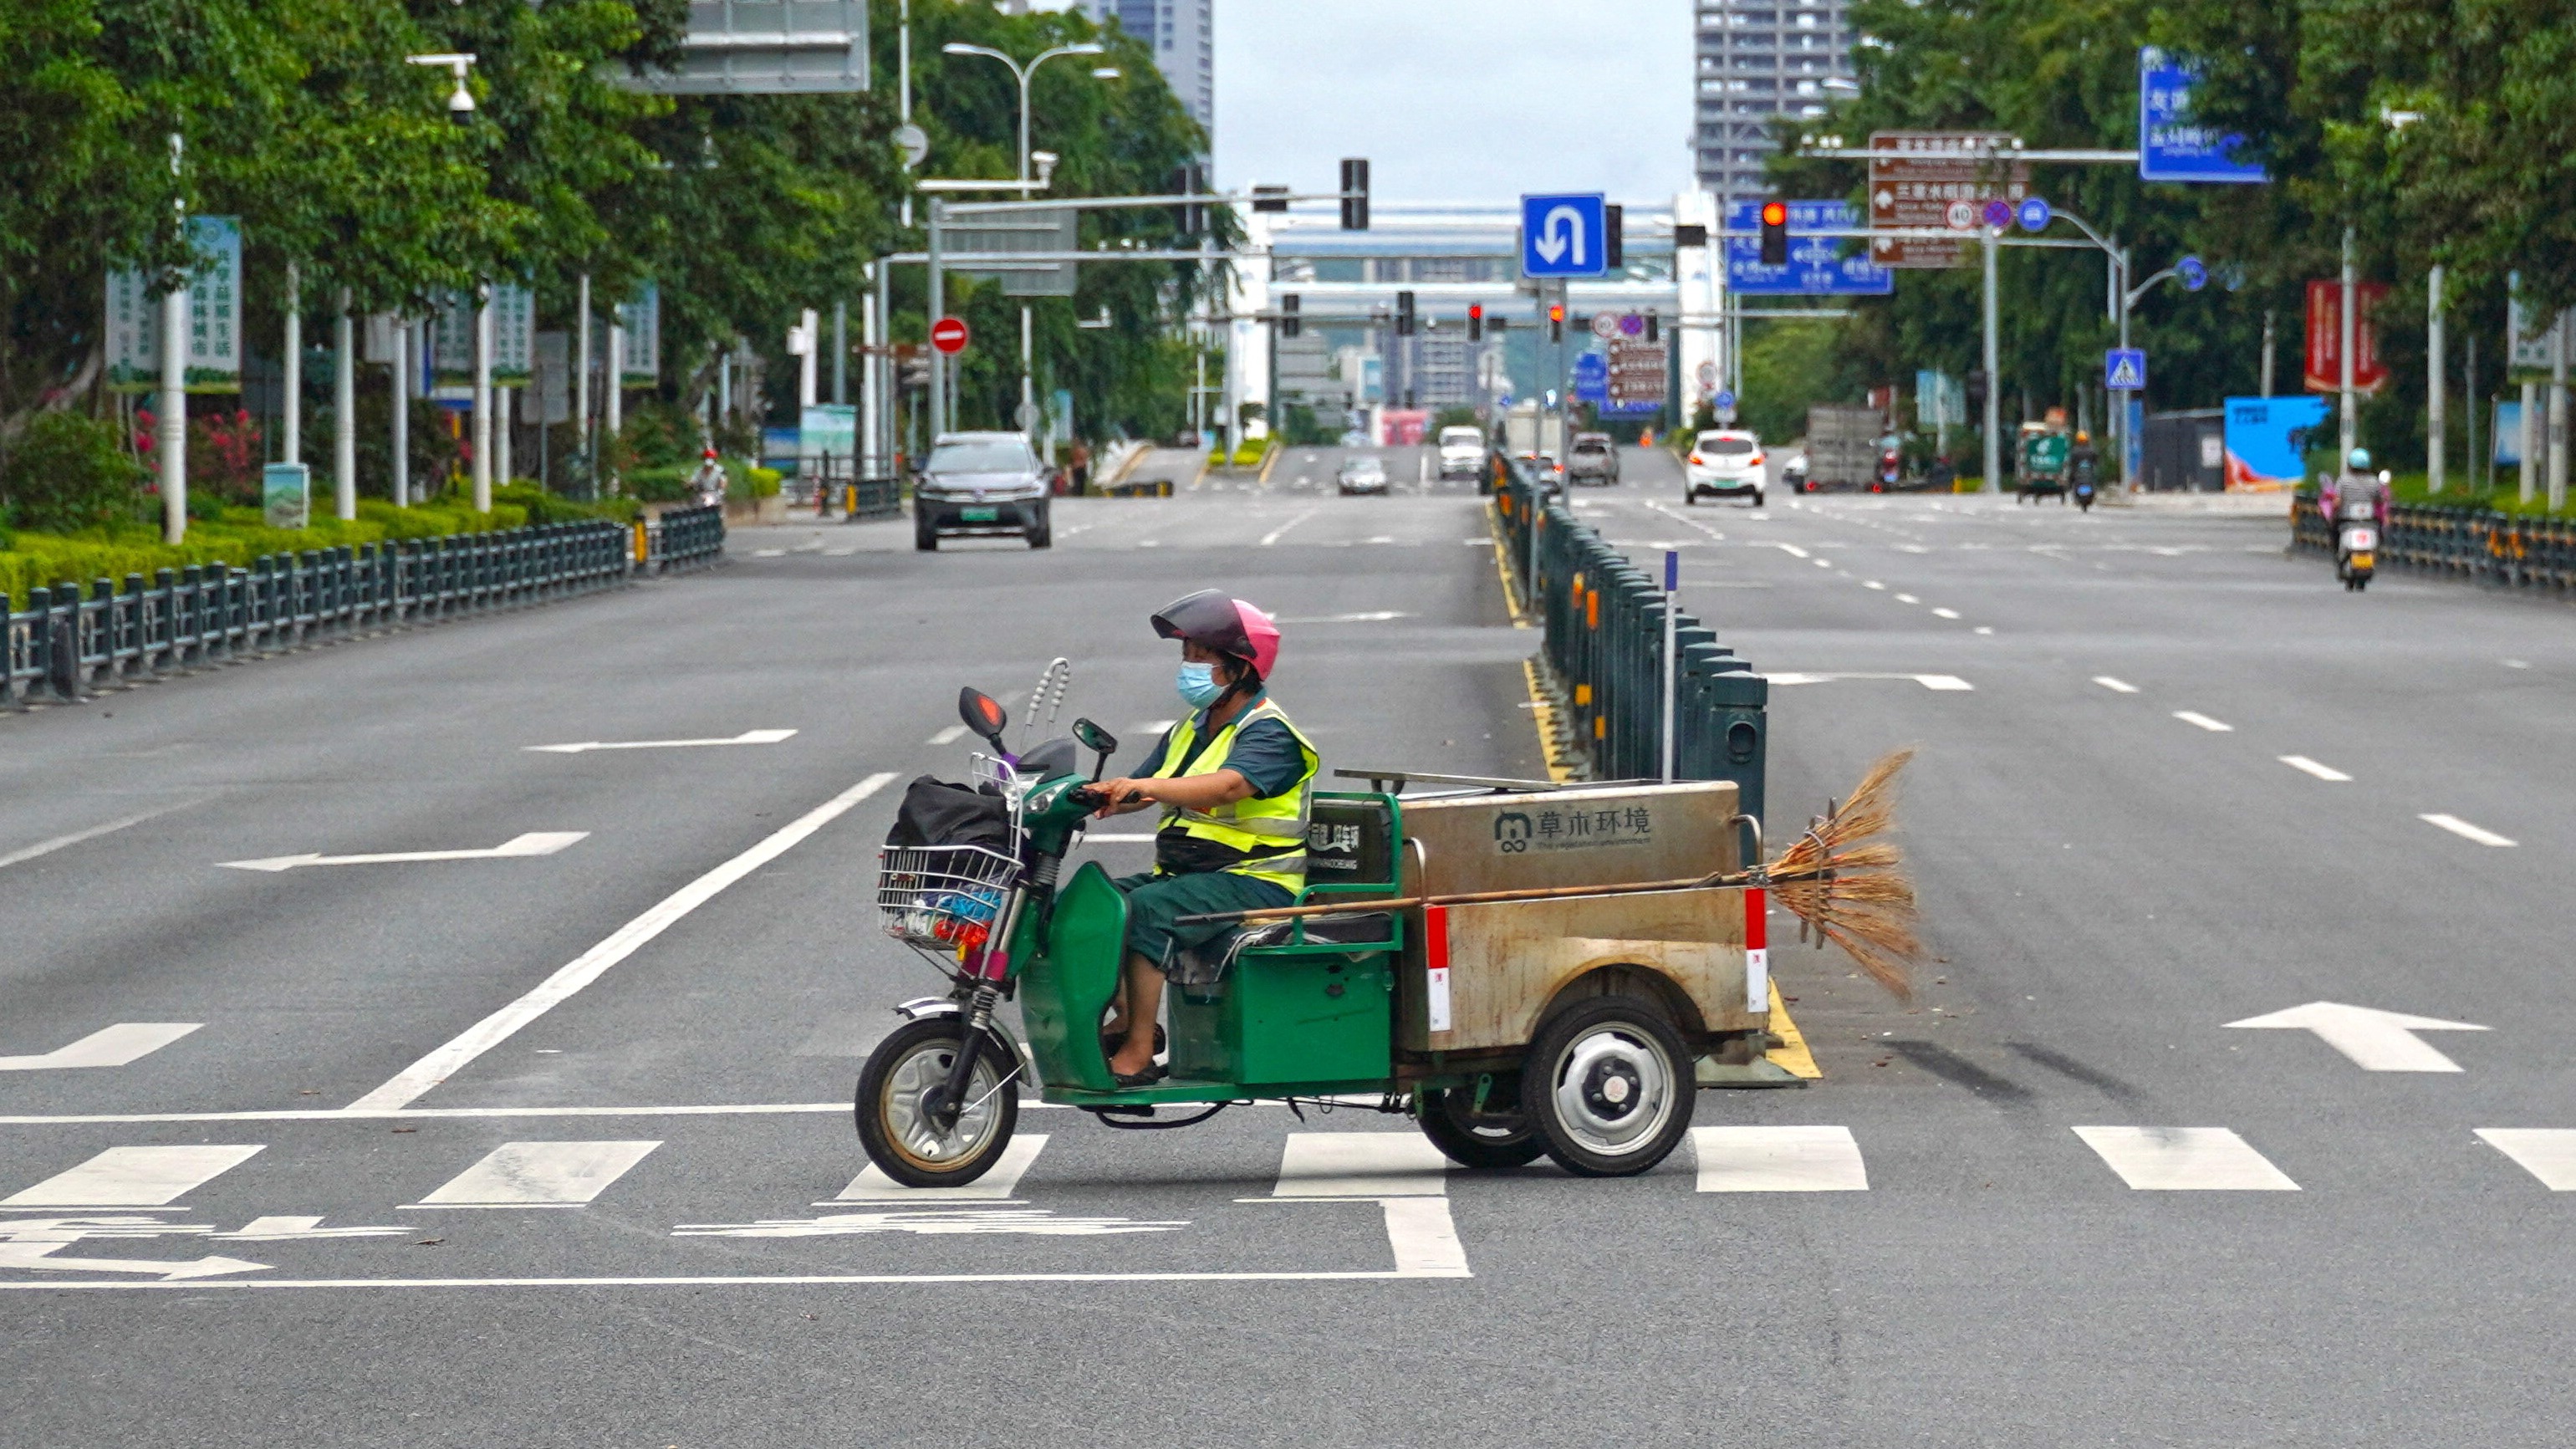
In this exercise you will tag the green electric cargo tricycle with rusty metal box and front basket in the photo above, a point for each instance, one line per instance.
(1573, 1020)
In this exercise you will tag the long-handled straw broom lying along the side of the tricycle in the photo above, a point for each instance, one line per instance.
(1841, 880)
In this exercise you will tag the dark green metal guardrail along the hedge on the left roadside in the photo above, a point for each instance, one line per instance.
(71, 646)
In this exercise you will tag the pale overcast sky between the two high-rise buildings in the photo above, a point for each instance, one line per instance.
(1457, 99)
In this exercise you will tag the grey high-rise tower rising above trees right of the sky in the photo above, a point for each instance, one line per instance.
(1761, 61)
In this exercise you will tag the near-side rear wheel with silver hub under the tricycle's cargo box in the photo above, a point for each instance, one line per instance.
(1609, 1087)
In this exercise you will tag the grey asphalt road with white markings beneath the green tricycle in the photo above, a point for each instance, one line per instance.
(627, 1208)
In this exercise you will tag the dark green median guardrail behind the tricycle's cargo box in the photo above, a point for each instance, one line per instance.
(1606, 641)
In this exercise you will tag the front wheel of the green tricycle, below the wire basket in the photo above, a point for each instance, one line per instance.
(895, 1097)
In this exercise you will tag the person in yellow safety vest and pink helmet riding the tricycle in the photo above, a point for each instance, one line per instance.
(1233, 785)
